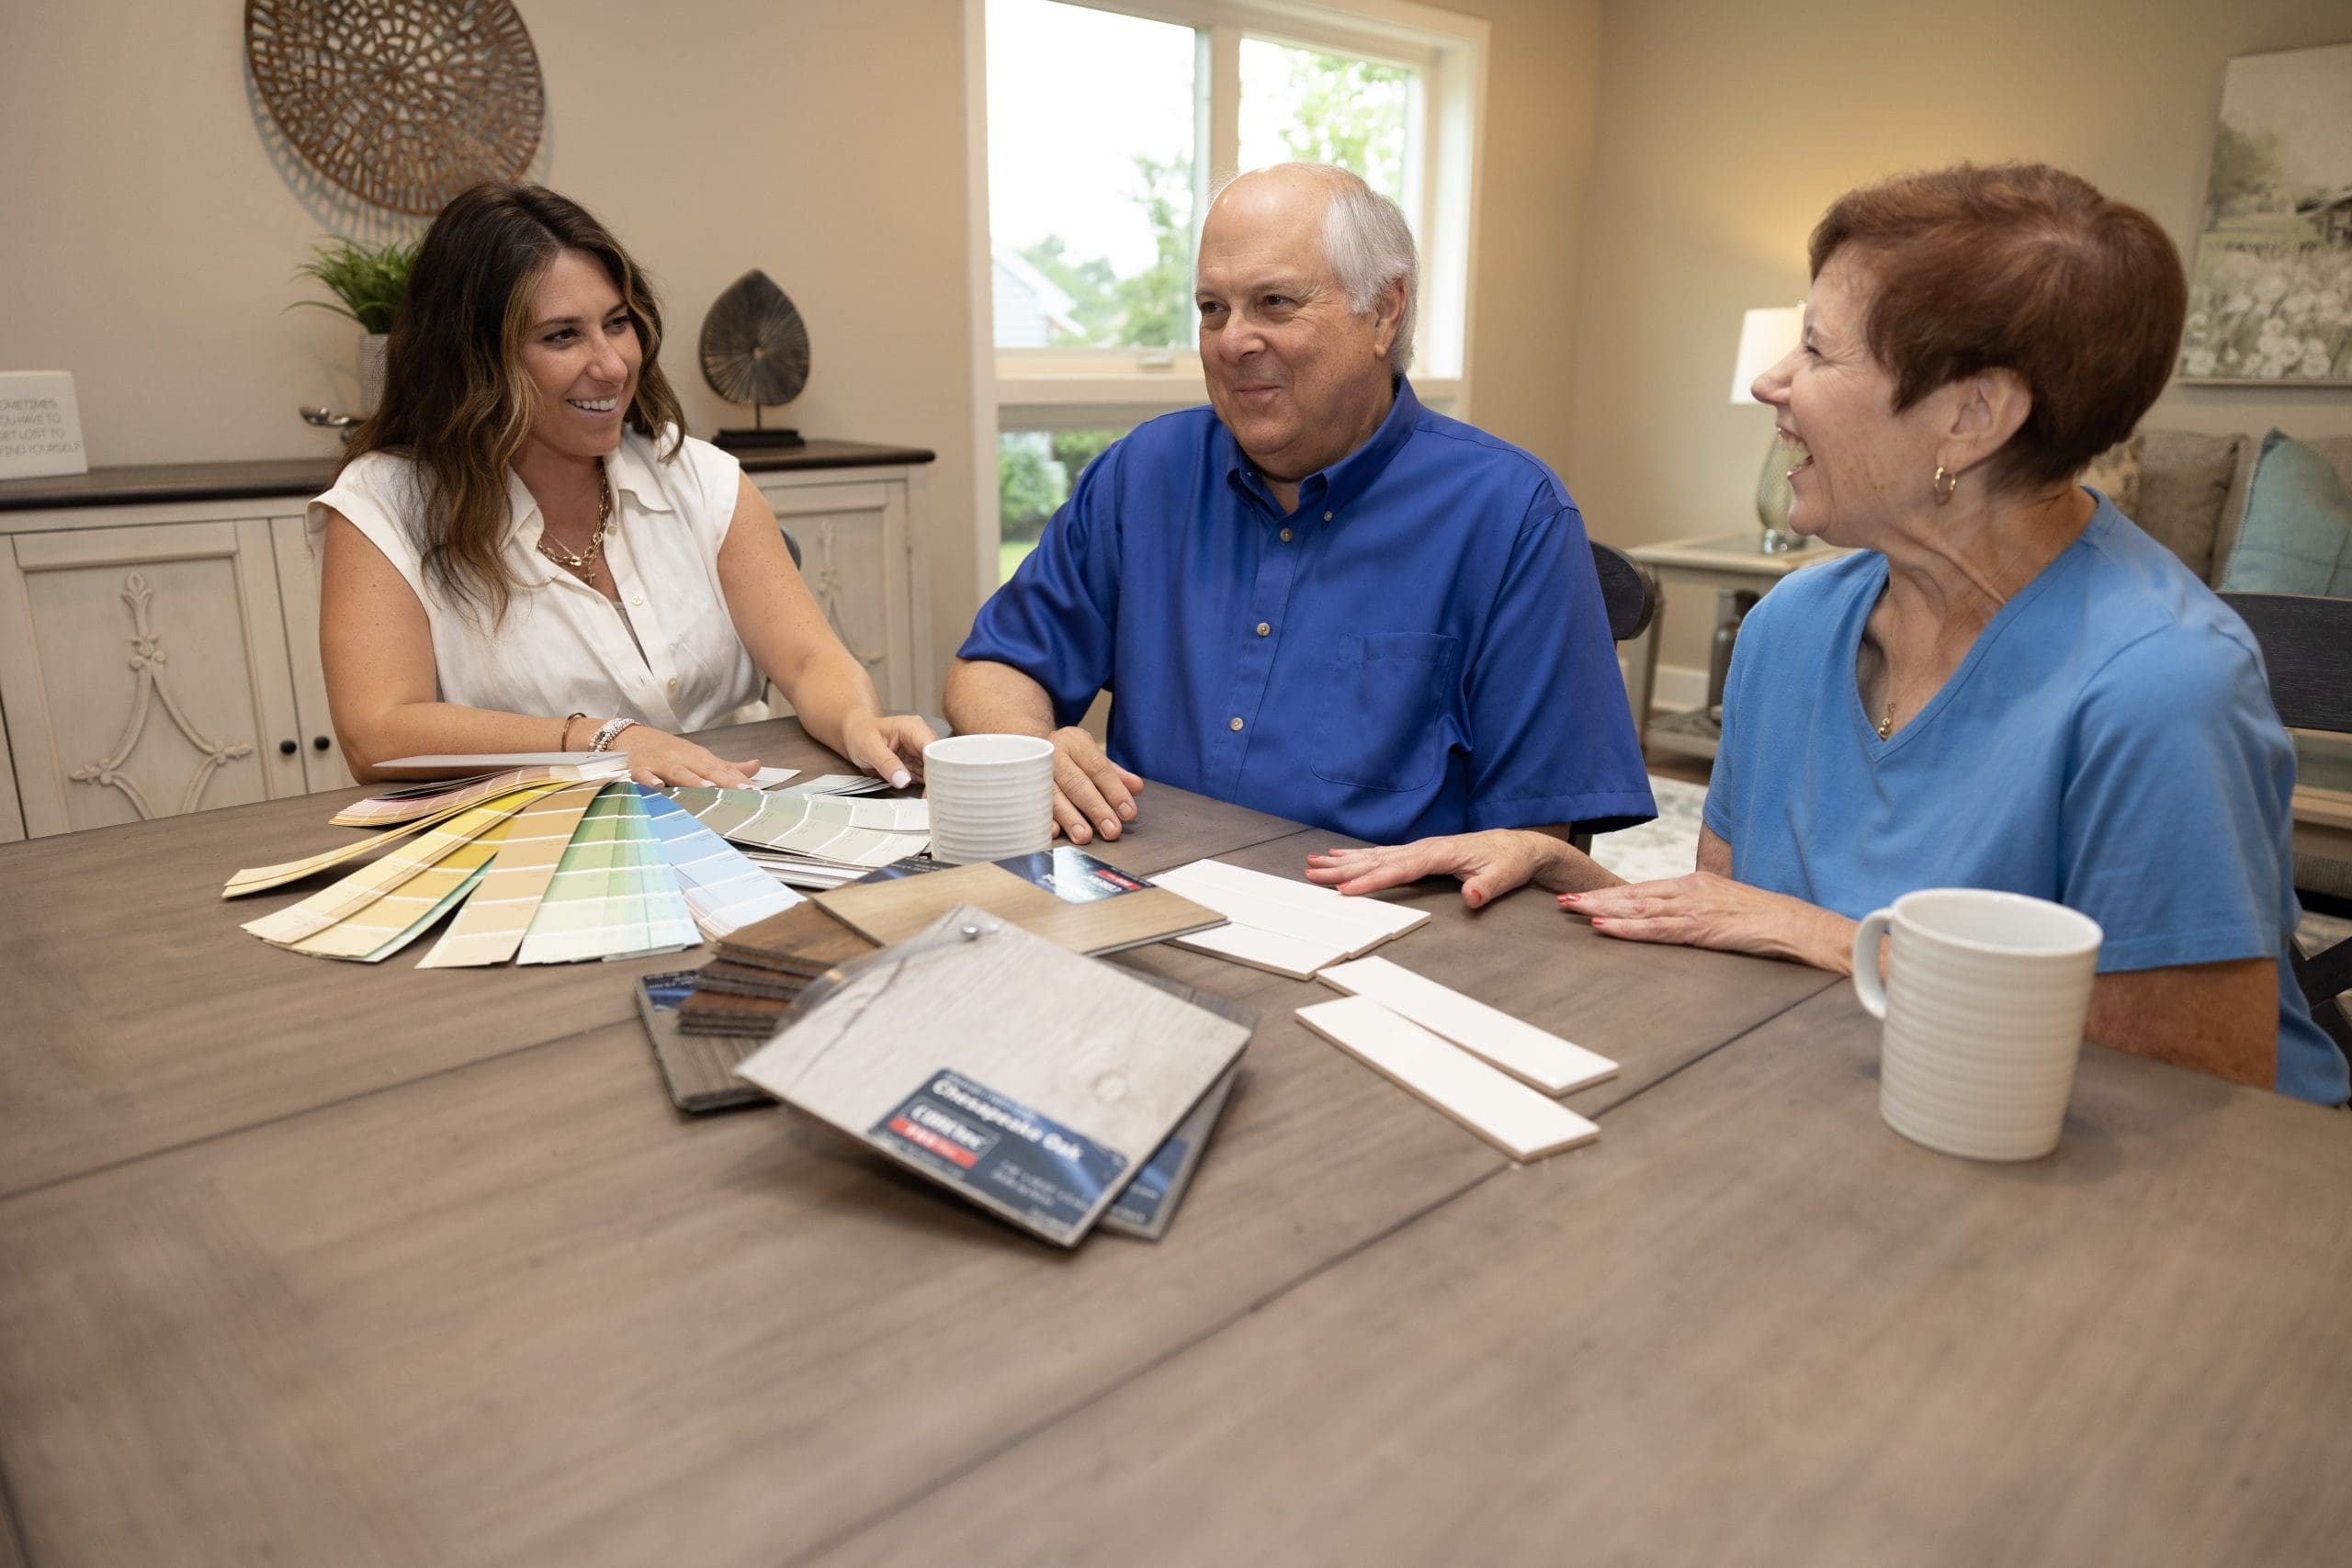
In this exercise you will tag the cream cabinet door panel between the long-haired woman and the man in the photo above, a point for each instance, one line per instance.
(855, 558)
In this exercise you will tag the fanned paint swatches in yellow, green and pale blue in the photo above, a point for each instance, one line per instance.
(542, 864)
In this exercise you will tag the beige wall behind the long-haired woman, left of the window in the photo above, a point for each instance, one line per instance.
(149, 234)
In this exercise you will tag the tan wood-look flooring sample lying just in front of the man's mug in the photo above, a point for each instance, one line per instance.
(1062, 894)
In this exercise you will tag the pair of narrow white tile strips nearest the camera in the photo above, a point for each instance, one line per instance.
(1476, 1064)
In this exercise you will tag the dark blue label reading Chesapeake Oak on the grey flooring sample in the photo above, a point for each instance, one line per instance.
(1005, 1155)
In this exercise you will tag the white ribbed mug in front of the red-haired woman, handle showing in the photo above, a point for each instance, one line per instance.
(1984, 1007)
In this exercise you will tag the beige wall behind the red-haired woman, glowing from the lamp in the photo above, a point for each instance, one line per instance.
(1725, 128)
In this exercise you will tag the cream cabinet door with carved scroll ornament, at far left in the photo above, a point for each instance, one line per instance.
(145, 674)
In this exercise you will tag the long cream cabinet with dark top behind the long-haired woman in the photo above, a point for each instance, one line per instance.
(161, 655)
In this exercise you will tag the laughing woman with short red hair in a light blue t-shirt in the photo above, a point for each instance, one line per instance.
(2007, 685)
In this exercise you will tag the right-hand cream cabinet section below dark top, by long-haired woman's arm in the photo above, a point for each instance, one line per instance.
(862, 561)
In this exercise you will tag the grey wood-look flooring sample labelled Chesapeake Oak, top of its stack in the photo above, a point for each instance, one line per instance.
(1001, 1066)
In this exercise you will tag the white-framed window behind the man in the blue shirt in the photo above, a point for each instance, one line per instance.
(1107, 126)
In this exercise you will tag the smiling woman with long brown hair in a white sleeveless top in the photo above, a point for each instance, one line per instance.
(523, 549)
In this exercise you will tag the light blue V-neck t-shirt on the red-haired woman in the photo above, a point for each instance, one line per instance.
(2109, 744)
